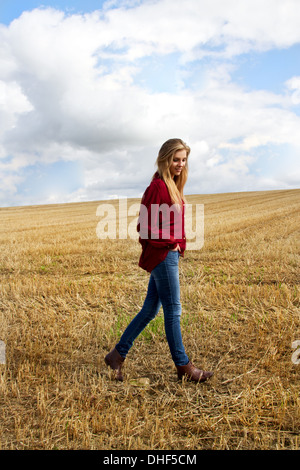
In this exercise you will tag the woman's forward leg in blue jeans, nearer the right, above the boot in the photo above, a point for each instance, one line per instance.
(166, 278)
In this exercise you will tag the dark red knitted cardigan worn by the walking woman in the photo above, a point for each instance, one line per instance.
(159, 228)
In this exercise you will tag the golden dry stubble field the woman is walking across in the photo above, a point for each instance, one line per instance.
(66, 296)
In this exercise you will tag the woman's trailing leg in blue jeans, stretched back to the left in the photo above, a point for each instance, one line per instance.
(136, 326)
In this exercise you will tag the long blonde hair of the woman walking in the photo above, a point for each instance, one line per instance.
(164, 161)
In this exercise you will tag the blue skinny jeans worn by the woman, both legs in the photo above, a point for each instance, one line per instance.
(163, 289)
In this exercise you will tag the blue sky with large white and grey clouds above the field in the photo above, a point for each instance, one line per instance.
(90, 90)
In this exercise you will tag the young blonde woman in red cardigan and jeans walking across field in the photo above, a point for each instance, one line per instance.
(162, 236)
